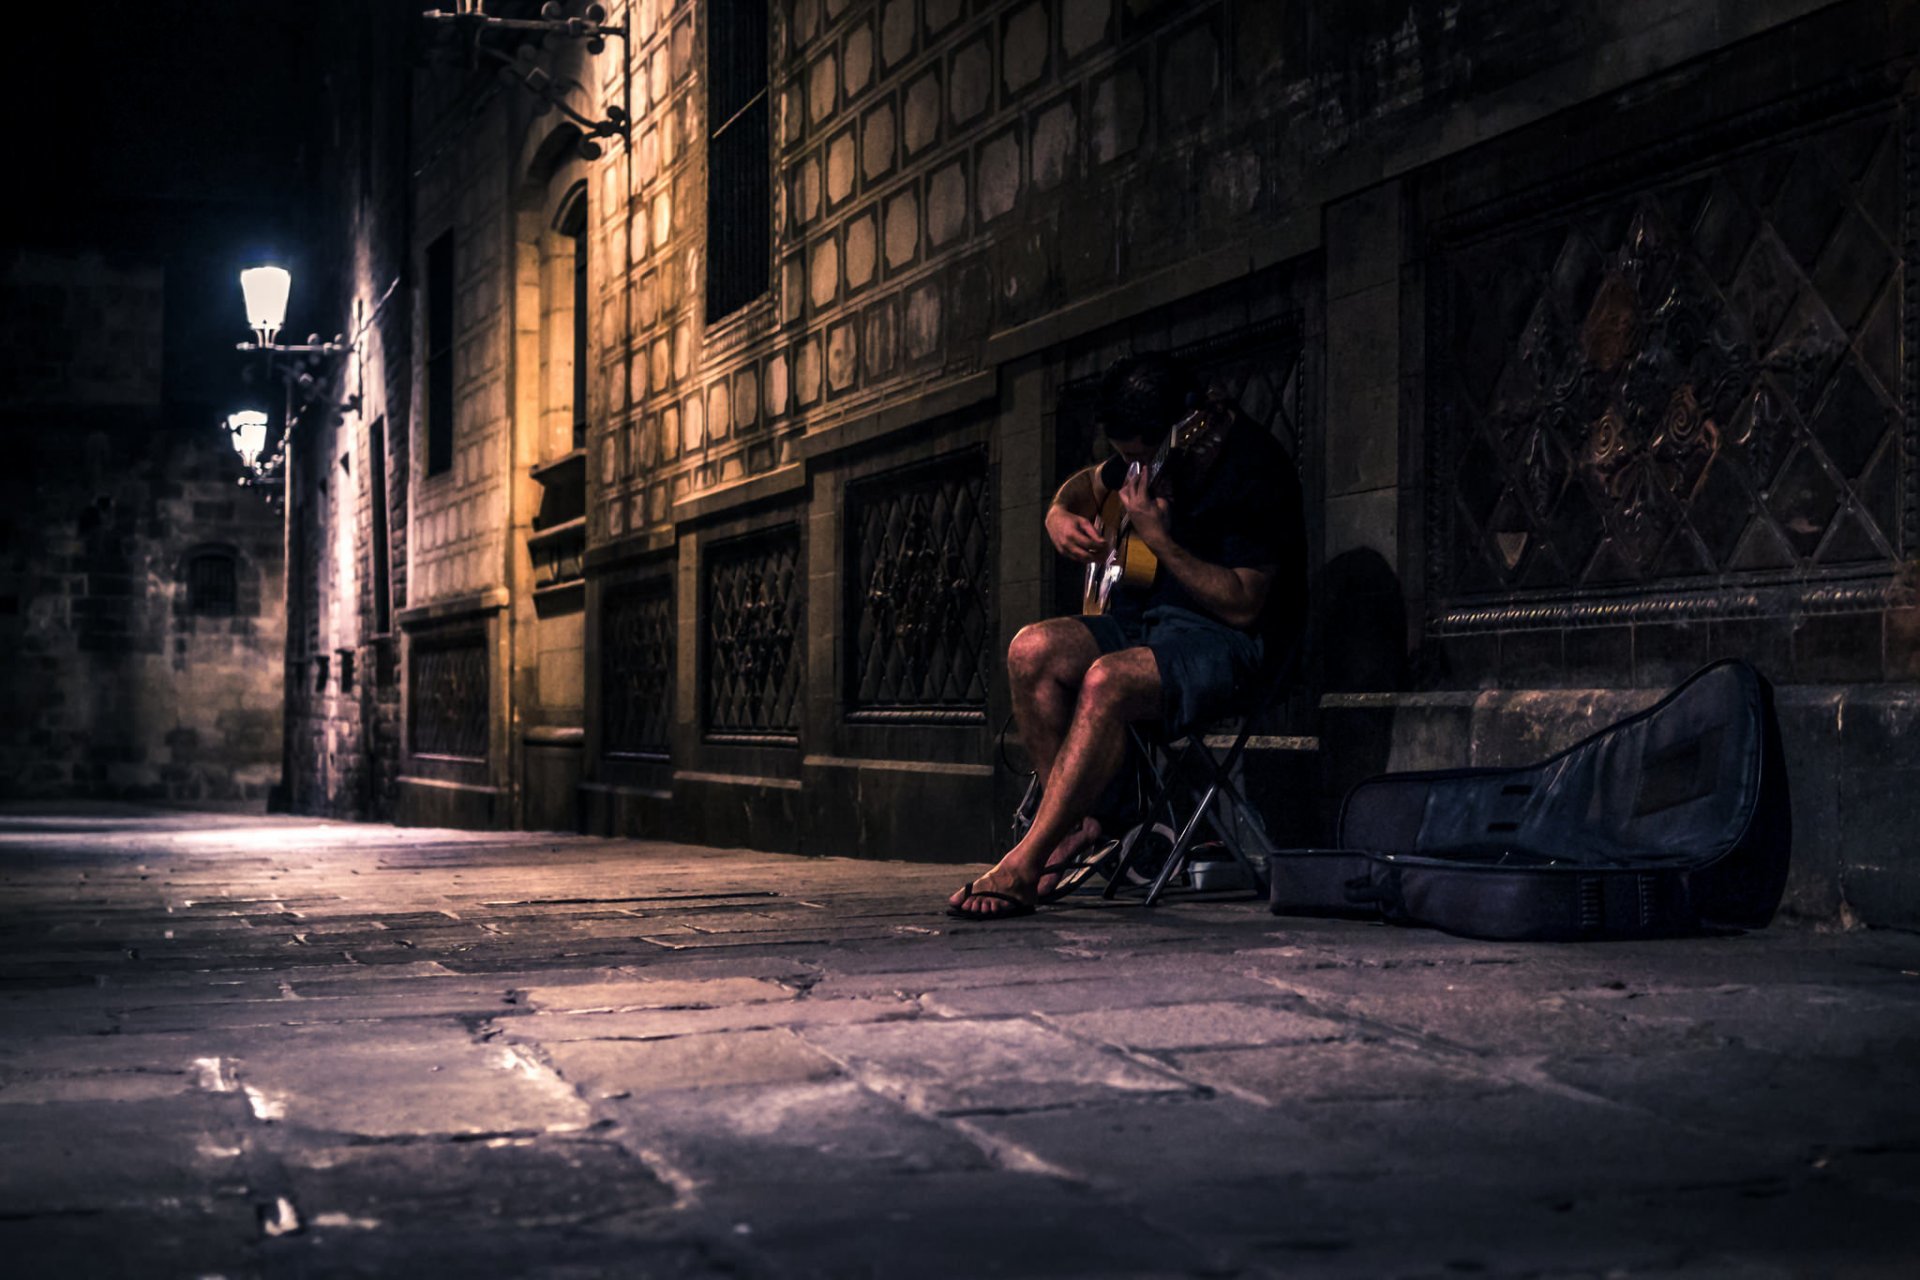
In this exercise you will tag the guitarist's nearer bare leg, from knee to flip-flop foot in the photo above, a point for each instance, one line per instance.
(1118, 690)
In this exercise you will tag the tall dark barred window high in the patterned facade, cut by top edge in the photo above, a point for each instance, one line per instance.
(740, 208)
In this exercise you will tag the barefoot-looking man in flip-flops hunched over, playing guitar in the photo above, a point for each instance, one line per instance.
(1230, 592)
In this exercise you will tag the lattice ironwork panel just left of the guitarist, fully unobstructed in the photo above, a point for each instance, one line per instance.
(919, 592)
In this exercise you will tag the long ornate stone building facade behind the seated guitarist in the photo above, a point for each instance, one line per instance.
(721, 446)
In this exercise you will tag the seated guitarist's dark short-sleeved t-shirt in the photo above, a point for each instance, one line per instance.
(1243, 513)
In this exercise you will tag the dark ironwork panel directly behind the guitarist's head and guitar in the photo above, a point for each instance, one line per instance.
(1259, 367)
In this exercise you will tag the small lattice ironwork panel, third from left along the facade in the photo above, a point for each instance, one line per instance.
(754, 636)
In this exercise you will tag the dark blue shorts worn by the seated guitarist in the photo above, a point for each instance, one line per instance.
(1207, 669)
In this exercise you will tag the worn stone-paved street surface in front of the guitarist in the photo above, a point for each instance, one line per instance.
(268, 1047)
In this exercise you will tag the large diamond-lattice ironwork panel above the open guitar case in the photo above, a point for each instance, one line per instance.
(1687, 391)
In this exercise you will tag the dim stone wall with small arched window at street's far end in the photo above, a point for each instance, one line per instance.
(126, 680)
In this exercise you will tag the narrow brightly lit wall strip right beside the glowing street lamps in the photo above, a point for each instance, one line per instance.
(350, 454)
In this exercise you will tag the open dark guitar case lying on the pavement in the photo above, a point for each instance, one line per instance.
(1669, 822)
